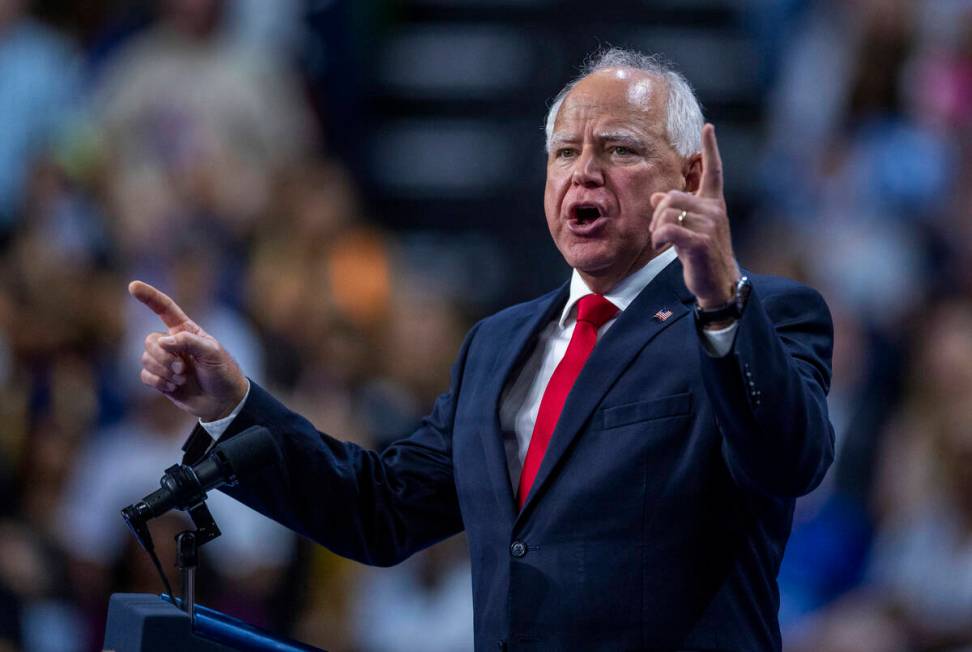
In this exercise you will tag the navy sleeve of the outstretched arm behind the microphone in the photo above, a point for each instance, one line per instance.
(374, 508)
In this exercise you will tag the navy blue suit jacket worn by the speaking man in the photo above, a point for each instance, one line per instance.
(662, 507)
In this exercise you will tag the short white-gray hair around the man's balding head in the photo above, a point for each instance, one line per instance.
(684, 113)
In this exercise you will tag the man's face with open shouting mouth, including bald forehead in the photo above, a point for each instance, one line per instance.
(608, 154)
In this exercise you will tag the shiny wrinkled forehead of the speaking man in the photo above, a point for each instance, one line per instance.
(621, 94)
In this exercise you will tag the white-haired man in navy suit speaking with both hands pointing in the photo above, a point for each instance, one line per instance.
(633, 495)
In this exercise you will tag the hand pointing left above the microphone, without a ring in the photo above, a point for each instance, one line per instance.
(187, 364)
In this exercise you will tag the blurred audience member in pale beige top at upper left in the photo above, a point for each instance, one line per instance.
(194, 129)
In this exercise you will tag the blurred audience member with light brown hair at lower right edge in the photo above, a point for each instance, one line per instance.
(918, 592)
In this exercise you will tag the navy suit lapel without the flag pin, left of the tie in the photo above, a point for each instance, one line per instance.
(514, 346)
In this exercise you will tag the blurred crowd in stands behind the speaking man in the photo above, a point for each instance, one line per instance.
(337, 190)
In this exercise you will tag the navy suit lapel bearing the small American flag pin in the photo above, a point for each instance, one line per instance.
(641, 322)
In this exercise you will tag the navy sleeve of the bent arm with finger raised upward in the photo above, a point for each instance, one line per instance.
(769, 394)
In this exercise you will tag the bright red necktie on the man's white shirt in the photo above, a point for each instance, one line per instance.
(593, 311)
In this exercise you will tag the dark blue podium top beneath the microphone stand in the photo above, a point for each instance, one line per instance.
(142, 622)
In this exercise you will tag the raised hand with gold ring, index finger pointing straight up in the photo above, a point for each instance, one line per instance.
(702, 236)
